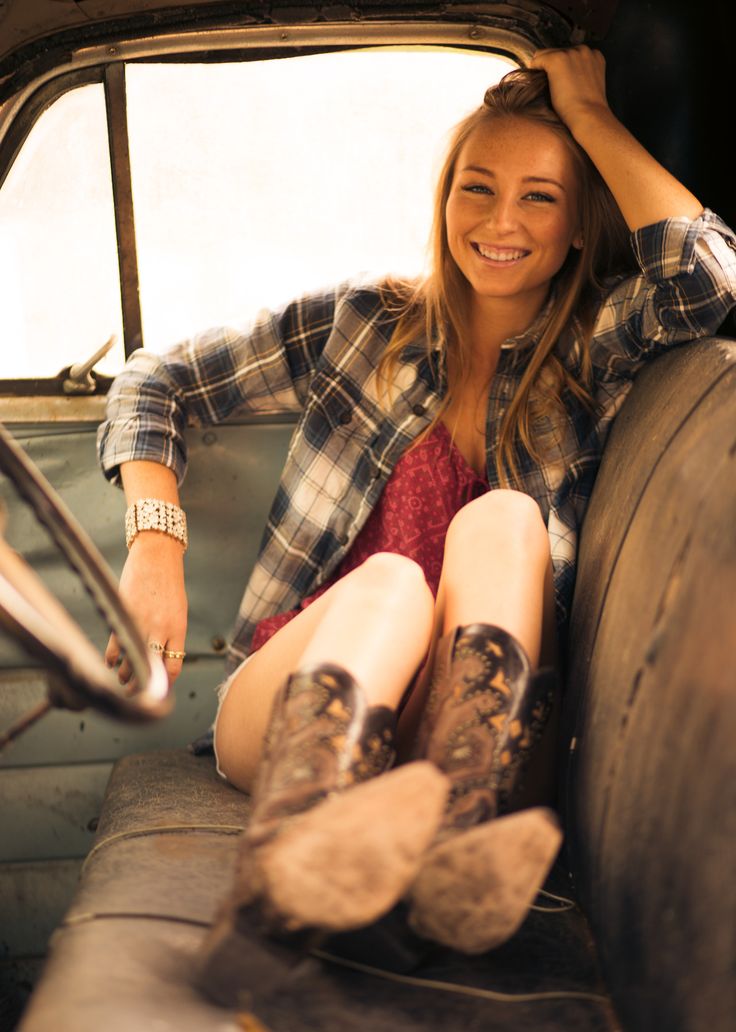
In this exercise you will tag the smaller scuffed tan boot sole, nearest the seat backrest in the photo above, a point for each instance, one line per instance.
(474, 891)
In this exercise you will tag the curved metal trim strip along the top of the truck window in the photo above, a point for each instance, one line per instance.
(337, 35)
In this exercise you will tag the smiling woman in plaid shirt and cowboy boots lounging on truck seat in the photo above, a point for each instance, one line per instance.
(420, 558)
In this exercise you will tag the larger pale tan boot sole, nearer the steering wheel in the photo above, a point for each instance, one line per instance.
(348, 861)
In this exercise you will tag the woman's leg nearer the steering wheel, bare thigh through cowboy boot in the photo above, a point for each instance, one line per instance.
(335, 838)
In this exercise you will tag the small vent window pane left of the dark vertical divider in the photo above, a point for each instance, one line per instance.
(59, 284)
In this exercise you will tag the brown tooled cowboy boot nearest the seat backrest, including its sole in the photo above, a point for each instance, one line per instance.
(485, 715)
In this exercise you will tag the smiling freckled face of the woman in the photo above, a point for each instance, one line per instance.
(513, 211)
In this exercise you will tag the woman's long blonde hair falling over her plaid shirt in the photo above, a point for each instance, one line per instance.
(437, 306)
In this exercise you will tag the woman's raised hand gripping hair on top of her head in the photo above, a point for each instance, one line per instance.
(578, 82)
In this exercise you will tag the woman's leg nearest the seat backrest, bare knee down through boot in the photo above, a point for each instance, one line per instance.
(481, 877)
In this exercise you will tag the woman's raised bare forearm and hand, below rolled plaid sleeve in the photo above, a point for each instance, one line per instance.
(645, 190)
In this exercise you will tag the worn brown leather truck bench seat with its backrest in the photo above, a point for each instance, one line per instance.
(648, 792)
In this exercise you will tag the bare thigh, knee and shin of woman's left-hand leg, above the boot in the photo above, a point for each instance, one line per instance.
(376, 623)
